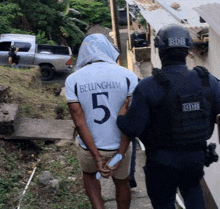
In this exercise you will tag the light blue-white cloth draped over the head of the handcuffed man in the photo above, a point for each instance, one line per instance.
(96, 47)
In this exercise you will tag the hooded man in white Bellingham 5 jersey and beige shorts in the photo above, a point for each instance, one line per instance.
(95, 94)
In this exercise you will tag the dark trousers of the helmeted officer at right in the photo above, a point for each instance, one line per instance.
(162, 183)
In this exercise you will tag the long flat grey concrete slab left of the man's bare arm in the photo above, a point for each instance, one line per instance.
(42, 129)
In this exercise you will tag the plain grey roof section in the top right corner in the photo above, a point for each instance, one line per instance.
(210, 13)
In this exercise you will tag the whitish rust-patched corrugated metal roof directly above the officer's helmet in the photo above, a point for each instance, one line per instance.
(161, 13)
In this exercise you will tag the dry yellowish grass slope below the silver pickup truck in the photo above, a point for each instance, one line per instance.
(35, 99)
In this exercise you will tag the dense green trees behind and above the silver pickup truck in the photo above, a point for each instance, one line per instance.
(53, 22)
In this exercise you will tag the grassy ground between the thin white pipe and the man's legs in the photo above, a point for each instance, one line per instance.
(63, 167)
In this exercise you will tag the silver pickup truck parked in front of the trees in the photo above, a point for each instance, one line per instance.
(50, 59)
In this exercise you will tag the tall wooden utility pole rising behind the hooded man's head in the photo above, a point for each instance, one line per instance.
(115, 28)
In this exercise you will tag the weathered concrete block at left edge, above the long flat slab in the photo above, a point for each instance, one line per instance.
(8, 117)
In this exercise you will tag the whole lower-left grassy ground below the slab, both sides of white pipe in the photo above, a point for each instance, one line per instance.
(19, 159)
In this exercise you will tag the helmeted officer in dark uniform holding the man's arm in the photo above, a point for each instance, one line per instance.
(173, 113)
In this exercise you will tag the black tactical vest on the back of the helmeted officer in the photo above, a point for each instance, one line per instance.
(183, 118)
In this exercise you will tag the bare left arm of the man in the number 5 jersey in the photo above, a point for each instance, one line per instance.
(78, 117)
